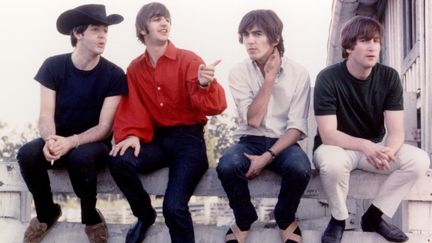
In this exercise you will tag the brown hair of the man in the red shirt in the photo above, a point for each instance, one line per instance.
(145, 14)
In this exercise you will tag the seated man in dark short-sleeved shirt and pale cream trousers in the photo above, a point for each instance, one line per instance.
(356, 103)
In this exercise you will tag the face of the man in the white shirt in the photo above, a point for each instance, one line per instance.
(257, 44)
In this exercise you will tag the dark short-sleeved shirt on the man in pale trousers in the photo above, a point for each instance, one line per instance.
(359, 105)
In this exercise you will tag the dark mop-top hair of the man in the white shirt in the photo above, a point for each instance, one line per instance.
(268, 21)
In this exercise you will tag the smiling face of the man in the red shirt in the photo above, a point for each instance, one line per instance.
(158, 30)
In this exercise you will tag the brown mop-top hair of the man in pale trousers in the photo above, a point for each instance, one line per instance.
(359, 27)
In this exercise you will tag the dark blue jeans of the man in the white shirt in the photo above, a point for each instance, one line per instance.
(292, 164)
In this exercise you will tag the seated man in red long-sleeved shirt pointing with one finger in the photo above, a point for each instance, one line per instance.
(160, 123)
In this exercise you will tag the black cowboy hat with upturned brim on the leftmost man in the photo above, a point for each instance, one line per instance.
(84, 15)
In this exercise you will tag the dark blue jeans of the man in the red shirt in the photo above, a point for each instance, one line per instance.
(183, 150)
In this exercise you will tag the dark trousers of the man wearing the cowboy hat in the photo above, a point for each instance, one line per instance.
(82, 164)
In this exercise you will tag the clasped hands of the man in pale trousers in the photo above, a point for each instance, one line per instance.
(378, 155)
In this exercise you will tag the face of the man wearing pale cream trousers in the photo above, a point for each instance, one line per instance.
(365, 52)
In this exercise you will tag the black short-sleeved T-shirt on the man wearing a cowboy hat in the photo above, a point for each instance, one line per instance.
(80, 94)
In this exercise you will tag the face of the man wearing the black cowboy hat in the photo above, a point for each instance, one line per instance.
(93, 39)
